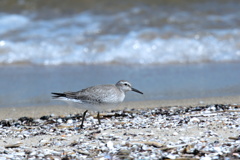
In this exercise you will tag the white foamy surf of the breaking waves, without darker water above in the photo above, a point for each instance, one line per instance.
(88, 38)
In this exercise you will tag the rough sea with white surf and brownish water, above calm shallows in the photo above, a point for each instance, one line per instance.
(128, 32)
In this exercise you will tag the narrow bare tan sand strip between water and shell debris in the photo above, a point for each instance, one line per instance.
(63, 110)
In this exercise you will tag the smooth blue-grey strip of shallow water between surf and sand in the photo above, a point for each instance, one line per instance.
(32, 85)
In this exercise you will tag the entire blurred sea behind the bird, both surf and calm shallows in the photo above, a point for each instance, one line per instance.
(168, 49)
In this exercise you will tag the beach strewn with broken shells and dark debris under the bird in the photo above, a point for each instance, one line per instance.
(189, 130)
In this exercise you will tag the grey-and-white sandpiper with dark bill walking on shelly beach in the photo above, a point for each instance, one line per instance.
(98, 96)
